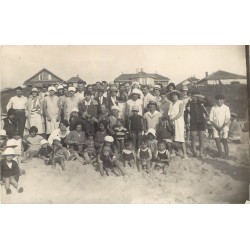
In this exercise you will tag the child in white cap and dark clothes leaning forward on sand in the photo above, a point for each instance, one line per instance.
(116, 165)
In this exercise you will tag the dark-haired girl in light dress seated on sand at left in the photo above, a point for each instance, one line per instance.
(33, 140)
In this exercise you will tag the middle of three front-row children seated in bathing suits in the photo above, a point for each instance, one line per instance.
(144, 156)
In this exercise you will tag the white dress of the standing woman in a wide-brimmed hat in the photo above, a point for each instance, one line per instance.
(179, 125)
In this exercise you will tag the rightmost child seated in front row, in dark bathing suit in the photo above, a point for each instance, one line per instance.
(161, 157)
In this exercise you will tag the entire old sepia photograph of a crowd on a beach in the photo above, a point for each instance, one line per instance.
(124, 124)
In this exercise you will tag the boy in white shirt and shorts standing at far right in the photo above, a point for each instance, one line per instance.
(220, 117)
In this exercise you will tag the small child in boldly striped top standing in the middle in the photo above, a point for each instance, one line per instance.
(120, 134)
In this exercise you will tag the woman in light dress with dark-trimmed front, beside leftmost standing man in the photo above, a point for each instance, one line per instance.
(34, 111)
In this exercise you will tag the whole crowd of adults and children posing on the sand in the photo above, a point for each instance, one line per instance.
(110, 126)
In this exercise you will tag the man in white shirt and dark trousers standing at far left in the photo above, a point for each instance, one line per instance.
(18, 103)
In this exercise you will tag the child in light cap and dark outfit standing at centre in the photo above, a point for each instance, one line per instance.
(136, 126)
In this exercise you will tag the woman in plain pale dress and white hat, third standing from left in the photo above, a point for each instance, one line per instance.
(52, 110)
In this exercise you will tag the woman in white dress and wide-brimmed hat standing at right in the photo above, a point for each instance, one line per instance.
(176, 114)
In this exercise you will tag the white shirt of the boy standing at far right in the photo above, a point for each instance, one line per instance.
(220, 115)
